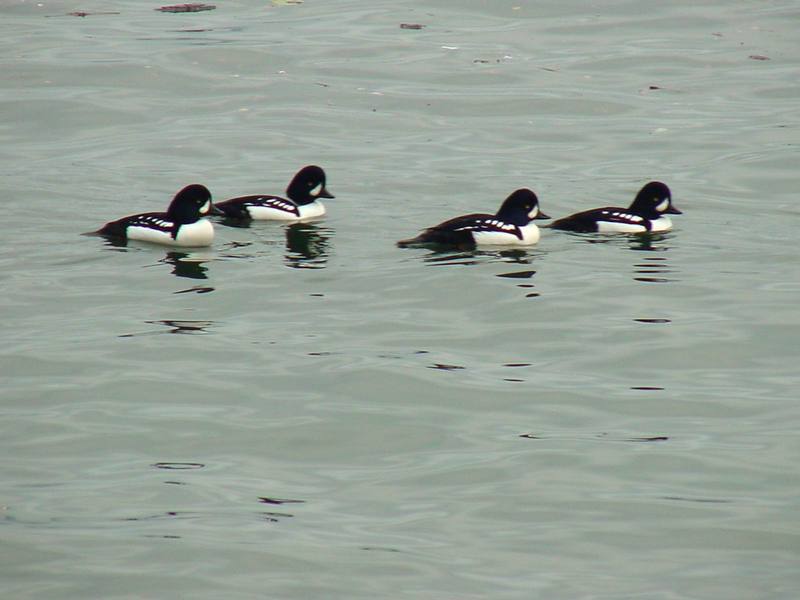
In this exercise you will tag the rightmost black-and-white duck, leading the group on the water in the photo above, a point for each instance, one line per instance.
(646, 214)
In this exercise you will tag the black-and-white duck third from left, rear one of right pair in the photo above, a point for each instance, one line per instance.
(511, 225)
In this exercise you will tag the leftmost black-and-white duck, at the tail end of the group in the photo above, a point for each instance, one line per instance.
(183, 224)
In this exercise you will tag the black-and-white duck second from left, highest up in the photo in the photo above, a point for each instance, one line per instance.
(303, 202)
